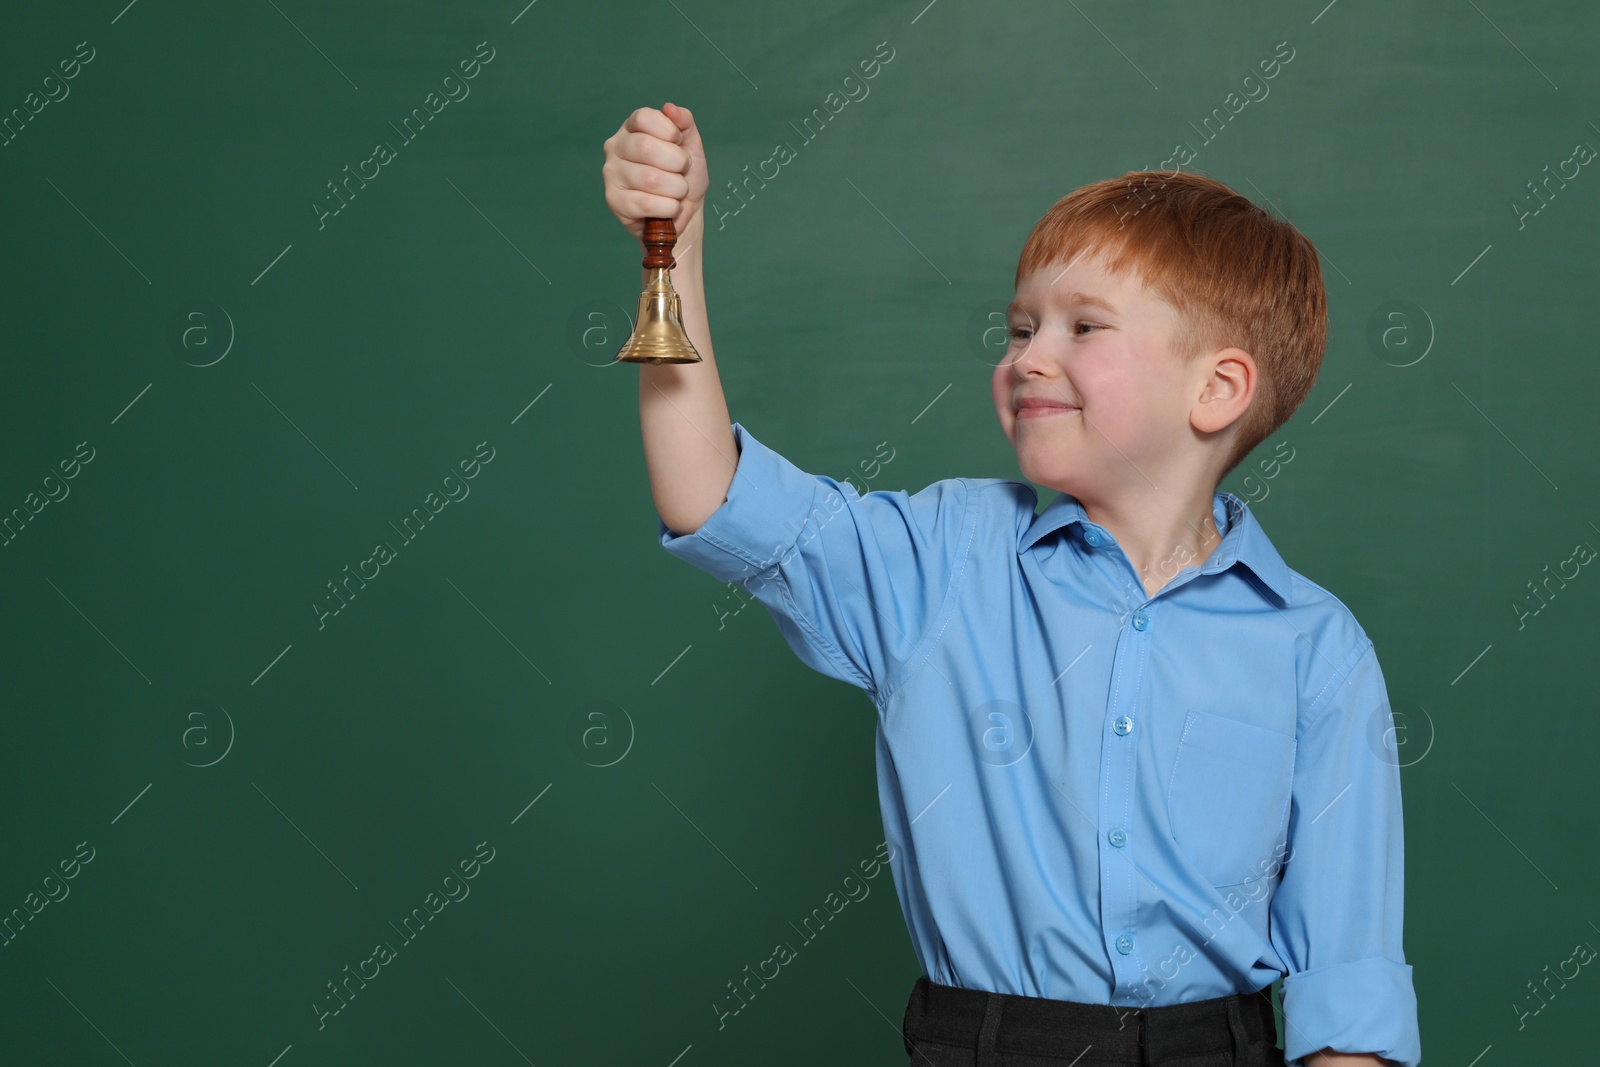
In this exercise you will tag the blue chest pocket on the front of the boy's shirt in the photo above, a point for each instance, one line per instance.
(1230, 797)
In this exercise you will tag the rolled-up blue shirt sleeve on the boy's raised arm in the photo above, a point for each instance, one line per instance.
(855, 583)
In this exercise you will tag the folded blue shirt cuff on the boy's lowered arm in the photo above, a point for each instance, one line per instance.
(1359, 1007)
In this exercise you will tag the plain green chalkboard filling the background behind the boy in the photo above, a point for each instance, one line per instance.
(335, 612)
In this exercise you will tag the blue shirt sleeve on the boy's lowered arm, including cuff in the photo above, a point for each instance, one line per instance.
(1337, 916)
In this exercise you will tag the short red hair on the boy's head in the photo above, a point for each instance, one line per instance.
(1238, 276)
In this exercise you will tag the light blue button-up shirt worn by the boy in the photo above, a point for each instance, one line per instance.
(1094, 794)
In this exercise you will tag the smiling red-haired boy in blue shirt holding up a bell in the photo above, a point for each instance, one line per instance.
(1130, 764)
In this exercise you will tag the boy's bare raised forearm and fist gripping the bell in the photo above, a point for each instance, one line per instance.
(655, 167)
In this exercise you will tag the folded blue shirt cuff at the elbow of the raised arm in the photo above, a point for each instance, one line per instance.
(758, 526)
